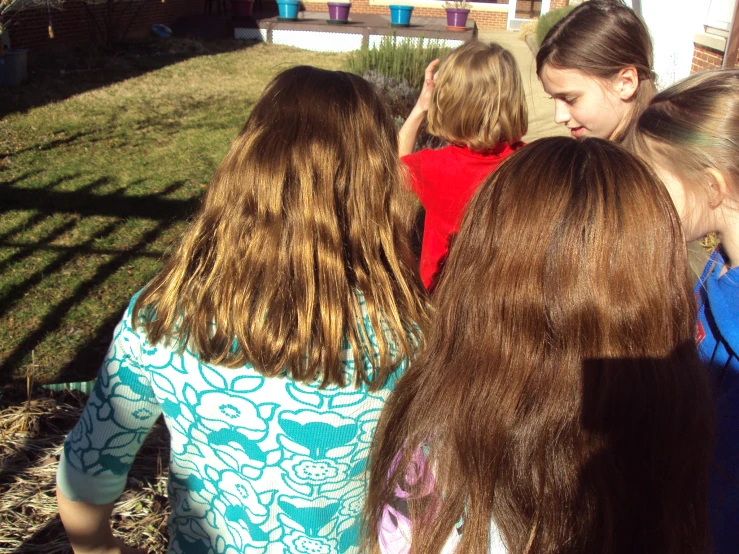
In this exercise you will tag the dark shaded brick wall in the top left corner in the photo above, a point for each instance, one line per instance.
(73, 26)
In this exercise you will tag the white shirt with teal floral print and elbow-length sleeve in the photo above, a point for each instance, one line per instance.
(257, 465)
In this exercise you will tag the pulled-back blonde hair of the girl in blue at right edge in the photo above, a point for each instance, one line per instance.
(694, 126)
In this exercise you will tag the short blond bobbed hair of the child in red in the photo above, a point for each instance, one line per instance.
(479, 99)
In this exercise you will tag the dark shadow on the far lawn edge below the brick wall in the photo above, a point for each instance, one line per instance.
(56, 77)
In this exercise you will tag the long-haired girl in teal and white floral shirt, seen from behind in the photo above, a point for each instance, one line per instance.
(269, 341)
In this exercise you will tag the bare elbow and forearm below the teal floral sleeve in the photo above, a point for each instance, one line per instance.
(88, 527)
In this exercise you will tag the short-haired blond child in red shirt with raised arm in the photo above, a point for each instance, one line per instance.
(476, 104)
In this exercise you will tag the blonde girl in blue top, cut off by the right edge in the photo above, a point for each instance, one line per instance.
(690, 133)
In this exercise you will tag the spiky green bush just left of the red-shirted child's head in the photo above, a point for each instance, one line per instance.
(403, 60)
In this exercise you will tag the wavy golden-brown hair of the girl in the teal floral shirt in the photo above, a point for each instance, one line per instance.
(300, 242)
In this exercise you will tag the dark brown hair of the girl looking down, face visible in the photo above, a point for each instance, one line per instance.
(600, 38)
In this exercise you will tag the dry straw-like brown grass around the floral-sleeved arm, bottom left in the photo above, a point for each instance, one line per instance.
(32, 432)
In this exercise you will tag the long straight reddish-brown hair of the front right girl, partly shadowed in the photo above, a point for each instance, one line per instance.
(560, 393)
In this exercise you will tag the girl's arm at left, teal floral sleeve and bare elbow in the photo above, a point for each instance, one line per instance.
(99, 451)
